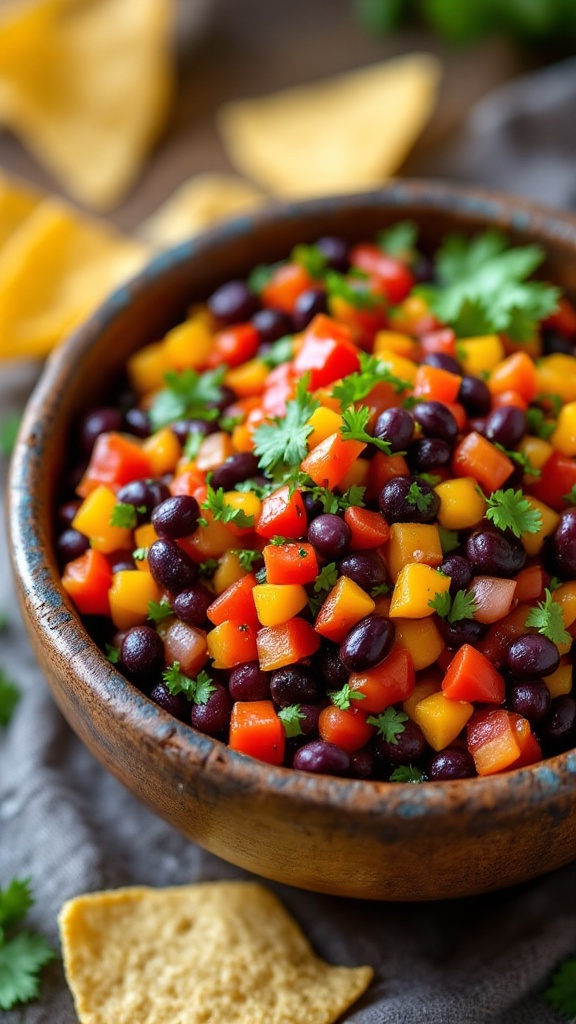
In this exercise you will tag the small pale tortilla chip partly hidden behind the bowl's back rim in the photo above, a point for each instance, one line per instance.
(203, 200)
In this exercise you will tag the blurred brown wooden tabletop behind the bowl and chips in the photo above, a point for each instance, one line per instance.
(250, 48)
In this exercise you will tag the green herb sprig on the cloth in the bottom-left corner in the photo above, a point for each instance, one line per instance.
(23, 954)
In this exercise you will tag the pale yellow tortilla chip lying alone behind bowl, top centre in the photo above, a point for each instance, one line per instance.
(344, 135)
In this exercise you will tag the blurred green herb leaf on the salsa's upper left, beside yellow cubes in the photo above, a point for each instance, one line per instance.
(188, 395)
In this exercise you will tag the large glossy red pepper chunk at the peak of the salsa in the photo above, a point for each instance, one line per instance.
(327, 353)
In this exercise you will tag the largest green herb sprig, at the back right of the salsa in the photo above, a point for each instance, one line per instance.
(483, 288)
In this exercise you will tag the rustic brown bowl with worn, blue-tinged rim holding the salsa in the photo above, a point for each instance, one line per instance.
(368, 840)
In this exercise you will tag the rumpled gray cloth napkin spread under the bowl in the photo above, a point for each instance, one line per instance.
(72, 828)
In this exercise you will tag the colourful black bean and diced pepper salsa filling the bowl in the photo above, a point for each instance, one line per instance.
(331, 520)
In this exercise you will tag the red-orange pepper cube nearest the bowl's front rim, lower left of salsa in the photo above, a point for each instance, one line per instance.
(257, 731)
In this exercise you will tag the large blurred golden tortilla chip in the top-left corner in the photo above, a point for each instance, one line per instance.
(87, 84)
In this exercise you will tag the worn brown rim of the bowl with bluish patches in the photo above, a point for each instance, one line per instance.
(38, 582)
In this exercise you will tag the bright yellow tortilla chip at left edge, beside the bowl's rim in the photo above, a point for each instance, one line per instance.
(55, 271)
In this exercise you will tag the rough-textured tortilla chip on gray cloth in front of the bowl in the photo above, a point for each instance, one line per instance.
(224, 953)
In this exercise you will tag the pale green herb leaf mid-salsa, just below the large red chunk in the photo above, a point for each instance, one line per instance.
(282, 443)
